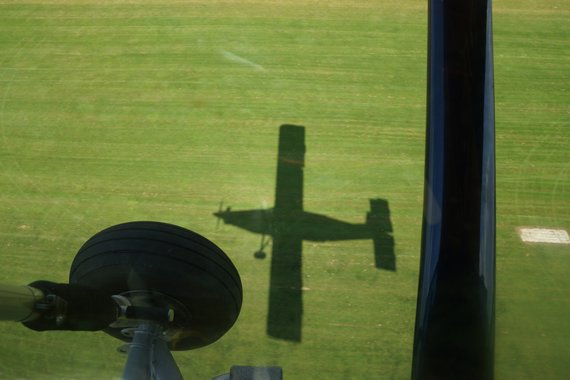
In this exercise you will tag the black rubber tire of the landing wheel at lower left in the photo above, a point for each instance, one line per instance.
(160, 257)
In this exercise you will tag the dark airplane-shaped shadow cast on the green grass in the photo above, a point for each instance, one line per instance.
(288, 225)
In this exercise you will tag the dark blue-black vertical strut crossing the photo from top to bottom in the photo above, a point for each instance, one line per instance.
(454, 334)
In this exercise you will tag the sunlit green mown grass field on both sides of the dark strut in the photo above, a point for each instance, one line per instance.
(112, 111)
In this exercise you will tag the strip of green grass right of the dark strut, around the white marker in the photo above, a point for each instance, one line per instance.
(533, 189)
